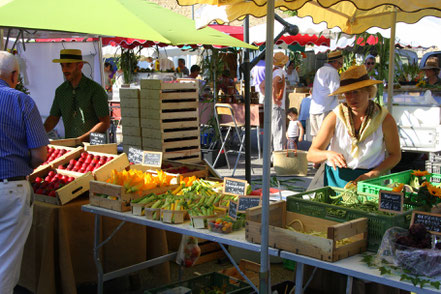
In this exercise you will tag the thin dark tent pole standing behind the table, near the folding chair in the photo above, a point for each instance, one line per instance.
(246, 74)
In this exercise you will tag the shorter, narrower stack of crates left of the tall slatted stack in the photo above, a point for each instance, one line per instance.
(130, 118)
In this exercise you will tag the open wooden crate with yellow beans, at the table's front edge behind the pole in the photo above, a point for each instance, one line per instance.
(314, 246)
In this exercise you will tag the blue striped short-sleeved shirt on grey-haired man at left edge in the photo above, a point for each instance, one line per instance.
(21, 129)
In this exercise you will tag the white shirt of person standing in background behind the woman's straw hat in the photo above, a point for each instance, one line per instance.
(326, 81)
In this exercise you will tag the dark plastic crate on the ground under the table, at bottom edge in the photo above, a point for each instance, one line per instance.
(204, 283)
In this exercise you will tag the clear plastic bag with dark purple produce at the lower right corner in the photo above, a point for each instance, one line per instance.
(426, 262)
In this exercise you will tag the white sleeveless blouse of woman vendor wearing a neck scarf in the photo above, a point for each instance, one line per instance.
(372, 151)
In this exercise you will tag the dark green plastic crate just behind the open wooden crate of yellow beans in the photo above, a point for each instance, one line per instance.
(377, 223)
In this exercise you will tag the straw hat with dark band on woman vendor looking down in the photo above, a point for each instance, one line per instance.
(354, 78)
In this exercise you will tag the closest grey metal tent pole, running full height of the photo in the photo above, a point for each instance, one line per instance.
(265, 283)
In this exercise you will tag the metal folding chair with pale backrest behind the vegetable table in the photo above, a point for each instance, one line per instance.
(226, 113)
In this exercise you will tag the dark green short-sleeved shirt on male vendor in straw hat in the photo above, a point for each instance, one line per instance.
(80, 108)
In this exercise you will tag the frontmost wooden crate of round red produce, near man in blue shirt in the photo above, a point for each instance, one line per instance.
(66, 193)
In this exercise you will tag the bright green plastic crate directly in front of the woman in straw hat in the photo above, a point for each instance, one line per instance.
(373, 186)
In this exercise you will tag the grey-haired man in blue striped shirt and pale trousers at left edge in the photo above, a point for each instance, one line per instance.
(23, 148)
